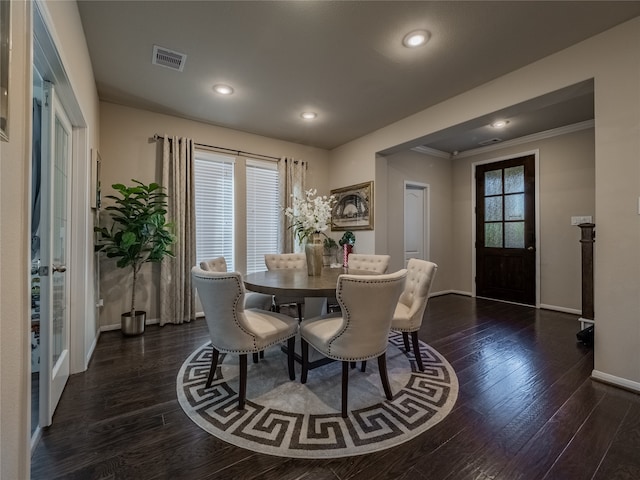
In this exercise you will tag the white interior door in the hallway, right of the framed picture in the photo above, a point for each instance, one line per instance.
(415, 222)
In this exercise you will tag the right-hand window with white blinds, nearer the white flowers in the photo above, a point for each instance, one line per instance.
(263, 212)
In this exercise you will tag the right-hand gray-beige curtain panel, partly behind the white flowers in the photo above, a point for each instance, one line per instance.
(292, 174)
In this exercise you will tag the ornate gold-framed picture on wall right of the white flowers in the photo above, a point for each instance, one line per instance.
(354, 207)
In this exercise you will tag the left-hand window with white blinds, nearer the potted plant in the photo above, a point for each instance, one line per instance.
(214, 206)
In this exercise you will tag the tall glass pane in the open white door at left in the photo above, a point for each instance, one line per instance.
(59, 233)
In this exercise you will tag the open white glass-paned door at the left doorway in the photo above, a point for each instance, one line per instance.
(55, 234)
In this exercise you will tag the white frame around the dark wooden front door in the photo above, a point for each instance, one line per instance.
(536, 154)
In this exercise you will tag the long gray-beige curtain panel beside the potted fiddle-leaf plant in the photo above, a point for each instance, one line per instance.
(177, 299)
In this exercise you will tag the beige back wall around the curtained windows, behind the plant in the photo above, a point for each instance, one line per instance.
(128, 151)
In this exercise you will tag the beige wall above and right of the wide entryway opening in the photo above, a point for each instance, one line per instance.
(611, 59)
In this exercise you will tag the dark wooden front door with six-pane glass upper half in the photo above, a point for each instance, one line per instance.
(505, 230)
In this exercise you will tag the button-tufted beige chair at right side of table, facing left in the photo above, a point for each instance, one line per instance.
(413, 302)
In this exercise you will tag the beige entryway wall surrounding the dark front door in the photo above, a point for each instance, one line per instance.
(566, 188)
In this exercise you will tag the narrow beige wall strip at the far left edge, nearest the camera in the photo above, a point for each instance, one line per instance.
(15, 362)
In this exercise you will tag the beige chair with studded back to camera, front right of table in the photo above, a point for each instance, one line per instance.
(361, 332)
